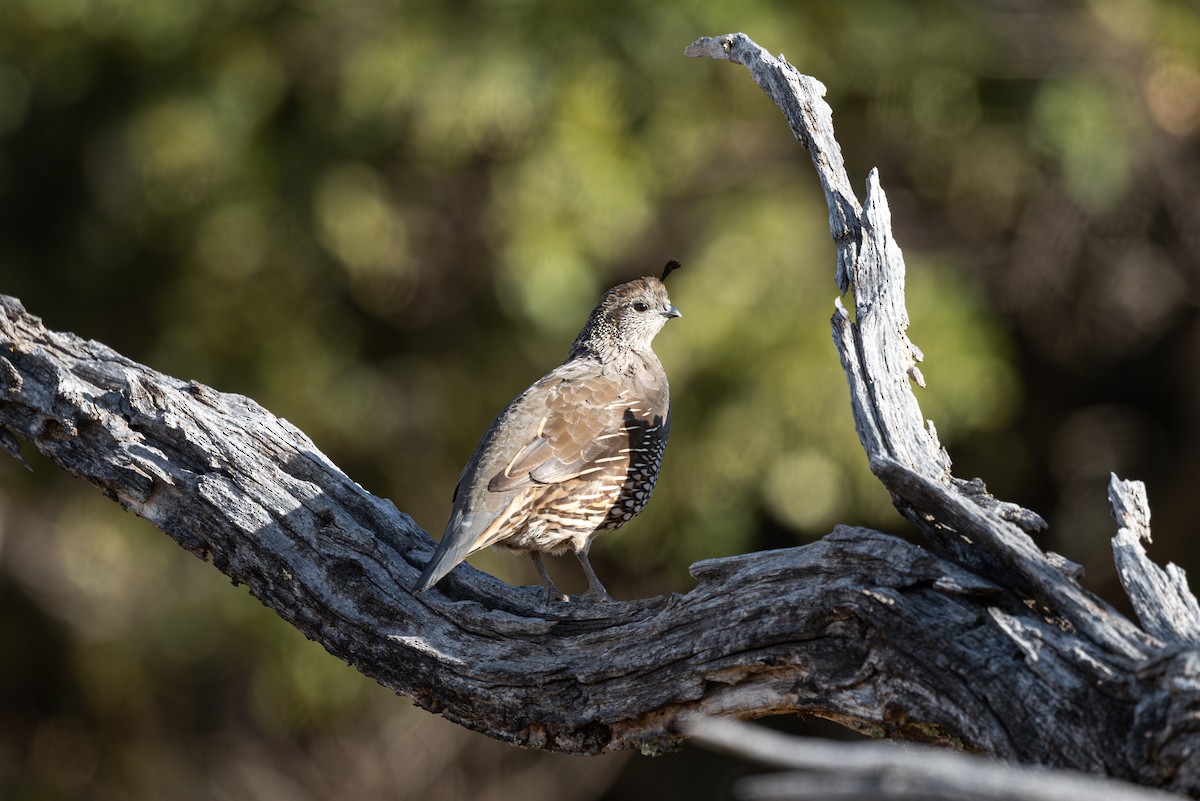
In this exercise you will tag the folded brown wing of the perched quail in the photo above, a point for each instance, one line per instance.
(586, 426)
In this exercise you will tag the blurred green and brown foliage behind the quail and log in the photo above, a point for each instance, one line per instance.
(382, 220)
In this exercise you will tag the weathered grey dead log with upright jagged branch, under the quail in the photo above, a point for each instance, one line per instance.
(981, 641)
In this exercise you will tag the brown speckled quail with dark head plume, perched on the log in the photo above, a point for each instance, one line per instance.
(575, 455)
